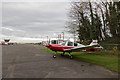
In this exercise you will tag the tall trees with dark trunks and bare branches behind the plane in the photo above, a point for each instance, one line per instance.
(95, 22)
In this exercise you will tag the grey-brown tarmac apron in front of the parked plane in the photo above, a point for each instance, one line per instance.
(29, 61)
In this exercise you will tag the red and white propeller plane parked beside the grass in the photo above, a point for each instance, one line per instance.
(69, 47)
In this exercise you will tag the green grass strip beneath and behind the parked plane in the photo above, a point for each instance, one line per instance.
(108, 61)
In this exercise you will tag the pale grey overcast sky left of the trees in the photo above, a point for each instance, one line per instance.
(32, 20)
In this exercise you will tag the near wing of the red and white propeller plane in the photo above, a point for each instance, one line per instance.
(80, 48)
